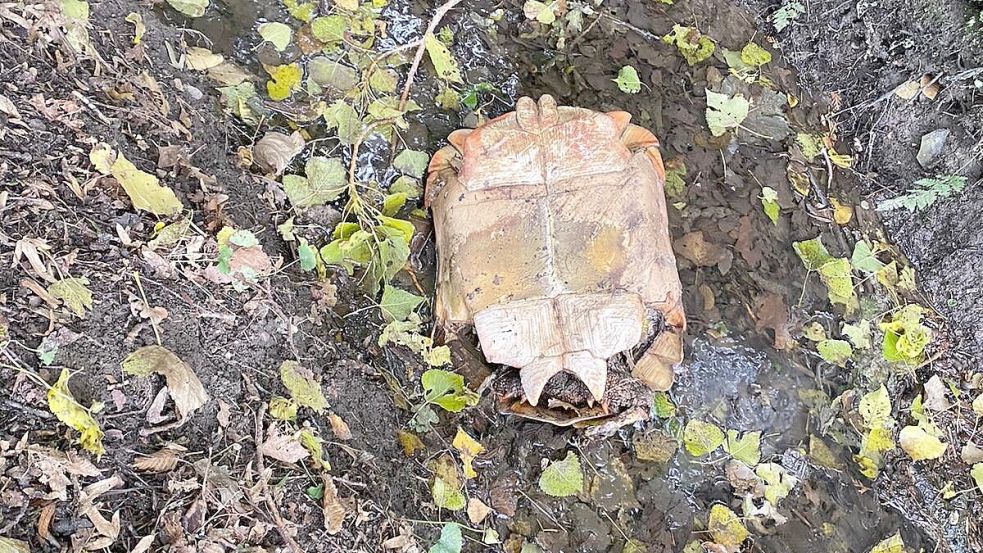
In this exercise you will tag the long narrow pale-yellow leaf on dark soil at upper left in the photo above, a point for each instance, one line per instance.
(144, 189)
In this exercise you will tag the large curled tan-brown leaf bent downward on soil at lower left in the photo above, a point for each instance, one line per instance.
(185, 388)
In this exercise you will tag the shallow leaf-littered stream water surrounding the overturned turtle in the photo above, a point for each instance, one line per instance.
(732, 375)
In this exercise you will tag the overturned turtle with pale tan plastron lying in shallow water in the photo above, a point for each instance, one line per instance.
(553, 245)
